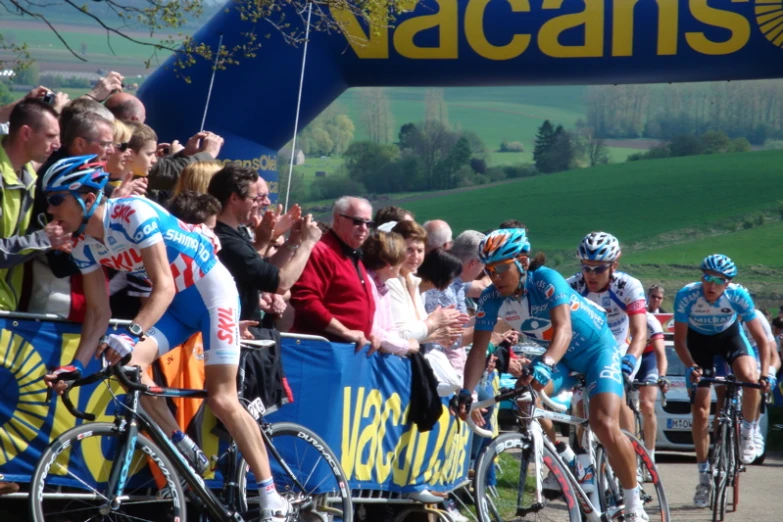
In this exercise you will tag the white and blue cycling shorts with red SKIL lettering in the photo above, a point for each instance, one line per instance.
(210, 306)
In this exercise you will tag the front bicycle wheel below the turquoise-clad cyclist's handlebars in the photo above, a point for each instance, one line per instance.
(514, 449)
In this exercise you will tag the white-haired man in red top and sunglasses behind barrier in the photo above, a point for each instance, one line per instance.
(333, 297)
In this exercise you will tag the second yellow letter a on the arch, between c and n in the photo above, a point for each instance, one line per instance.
(592, 18)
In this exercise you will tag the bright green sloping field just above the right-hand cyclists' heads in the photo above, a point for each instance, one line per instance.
(635, 201)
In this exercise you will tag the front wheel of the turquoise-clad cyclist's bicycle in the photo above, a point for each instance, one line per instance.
(505, 484)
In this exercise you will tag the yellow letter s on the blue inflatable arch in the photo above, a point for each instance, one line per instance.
(738, 25)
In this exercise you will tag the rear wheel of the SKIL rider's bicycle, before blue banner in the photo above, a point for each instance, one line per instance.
(324, 494)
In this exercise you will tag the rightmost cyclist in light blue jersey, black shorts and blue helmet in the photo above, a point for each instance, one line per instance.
(706, 324)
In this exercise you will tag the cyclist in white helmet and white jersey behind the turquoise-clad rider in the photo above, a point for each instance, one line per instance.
(621, 295)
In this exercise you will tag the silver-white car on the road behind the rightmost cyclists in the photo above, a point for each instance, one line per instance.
(674, 419)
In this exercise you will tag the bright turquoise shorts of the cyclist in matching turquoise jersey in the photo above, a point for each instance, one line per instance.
(599, 364)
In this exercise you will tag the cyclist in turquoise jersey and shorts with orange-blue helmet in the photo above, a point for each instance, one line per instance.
(537, 301)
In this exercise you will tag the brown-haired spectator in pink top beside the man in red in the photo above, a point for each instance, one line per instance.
(384, 253)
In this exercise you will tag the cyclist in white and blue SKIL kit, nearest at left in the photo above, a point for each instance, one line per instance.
(191, 292)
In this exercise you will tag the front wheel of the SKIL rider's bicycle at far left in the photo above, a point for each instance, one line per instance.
(69, 444)
